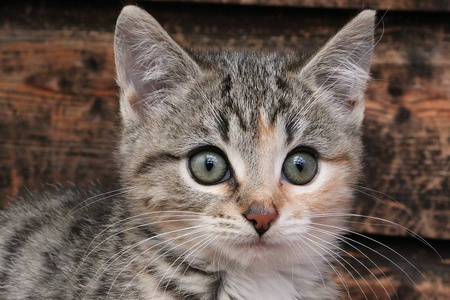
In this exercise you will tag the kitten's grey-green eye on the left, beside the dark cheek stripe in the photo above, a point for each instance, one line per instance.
(209, 167)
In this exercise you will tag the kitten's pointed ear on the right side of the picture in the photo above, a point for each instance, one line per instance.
(340, 70)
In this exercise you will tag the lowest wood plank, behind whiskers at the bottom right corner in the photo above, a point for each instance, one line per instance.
(394, 268)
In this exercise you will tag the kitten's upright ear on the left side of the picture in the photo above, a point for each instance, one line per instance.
(150, 65)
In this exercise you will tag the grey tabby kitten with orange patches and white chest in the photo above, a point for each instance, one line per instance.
(234, 168)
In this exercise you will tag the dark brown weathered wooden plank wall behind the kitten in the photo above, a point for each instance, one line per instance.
(58, 108)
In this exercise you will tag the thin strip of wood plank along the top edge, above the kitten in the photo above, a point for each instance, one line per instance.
(408, 5)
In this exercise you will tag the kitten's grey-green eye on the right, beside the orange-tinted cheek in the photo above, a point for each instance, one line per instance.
(300, 167)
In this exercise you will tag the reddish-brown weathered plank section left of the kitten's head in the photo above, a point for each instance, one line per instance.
(57, 103)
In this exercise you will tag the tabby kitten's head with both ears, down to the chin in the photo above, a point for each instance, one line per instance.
(243, 154)
